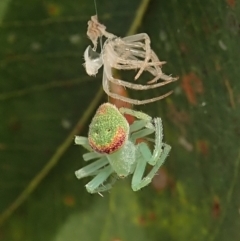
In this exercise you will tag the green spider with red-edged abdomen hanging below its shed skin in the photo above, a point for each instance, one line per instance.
(113, 143)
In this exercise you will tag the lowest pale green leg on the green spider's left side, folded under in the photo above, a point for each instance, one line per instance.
(94, 185)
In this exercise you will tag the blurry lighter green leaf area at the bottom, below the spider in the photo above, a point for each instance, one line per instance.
(107, 217)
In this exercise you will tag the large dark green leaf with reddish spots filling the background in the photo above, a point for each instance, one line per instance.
(46, 98)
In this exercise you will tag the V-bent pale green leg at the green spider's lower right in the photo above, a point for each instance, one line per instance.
(137, 181)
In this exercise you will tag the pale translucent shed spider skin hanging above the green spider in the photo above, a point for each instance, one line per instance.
(128, 53)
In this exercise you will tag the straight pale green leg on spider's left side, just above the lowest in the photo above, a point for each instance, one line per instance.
(90, 169)
